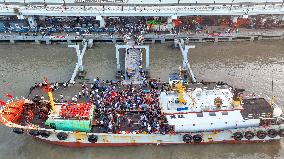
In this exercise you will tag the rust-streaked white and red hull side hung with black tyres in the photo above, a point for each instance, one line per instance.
(75, 139)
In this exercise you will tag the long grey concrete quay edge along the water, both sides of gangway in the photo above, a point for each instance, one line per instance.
(149, 38)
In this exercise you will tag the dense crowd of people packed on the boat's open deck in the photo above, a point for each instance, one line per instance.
(121, 108)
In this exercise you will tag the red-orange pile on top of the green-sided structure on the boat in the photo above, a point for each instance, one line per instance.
(76, 111)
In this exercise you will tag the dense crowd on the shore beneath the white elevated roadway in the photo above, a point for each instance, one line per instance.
(122, 25)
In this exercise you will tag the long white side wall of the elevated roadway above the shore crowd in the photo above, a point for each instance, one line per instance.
(55, 10)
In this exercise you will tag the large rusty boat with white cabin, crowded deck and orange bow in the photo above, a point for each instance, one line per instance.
(176, 112)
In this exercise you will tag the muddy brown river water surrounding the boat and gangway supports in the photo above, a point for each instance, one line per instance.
(247, 65)
